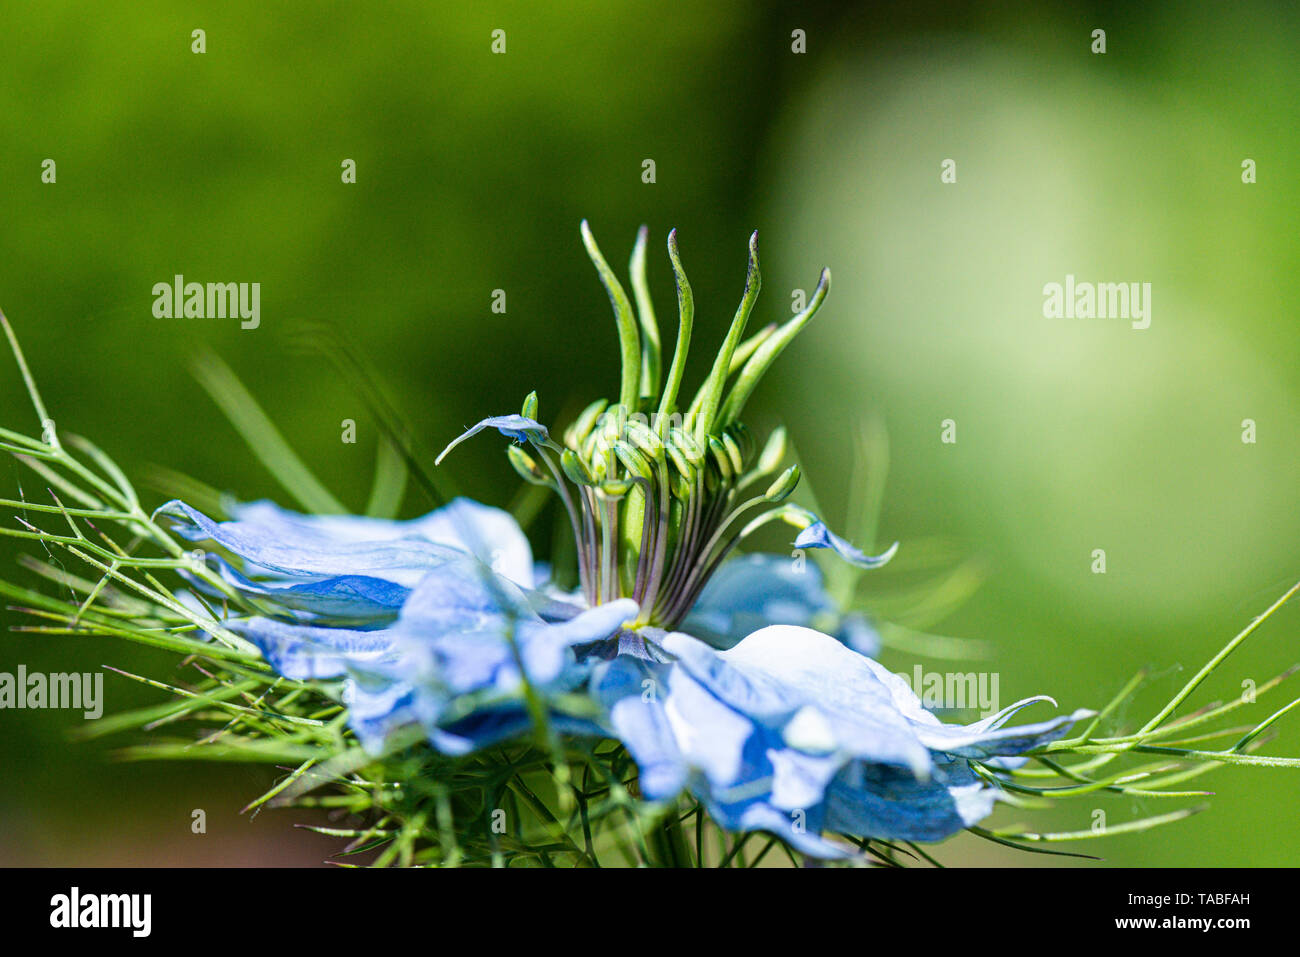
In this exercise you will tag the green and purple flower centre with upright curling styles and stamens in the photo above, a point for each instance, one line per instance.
(660, 491)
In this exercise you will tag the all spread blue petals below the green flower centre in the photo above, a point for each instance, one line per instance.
(786, 730)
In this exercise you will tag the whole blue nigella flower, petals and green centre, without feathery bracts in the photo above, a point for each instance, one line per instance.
(734, 678)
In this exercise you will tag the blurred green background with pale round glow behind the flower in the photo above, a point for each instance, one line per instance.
(473, 174)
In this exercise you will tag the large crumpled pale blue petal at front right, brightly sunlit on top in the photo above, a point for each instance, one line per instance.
(794, 733)
